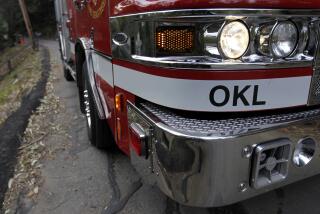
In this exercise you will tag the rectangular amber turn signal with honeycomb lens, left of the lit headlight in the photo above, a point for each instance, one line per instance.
(175, 40)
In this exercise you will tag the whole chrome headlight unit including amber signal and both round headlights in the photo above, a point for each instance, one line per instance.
(214, 40)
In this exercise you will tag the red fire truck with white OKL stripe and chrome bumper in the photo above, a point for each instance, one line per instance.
(216, 101)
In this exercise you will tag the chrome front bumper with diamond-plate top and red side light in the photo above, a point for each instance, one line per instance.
(211, 163)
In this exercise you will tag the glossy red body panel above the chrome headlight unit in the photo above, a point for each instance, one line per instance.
(122, 7)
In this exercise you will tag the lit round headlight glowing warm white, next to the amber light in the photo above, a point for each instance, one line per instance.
(234, 39)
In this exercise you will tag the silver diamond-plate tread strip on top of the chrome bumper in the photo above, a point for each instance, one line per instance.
(225, 127)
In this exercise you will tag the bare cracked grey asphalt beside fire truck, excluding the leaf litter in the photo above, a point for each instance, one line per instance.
(82, 179)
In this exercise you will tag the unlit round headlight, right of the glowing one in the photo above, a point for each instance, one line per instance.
(284, 39)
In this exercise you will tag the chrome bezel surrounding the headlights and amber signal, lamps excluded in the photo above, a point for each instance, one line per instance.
(207, 54)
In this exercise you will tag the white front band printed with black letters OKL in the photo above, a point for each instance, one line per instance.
(215, 95)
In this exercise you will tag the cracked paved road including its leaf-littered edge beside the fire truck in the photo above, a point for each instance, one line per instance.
(69, 176)
